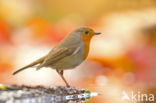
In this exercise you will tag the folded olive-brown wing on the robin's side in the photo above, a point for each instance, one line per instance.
(58, 54)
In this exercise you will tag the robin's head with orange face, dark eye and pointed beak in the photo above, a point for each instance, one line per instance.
(86, 33)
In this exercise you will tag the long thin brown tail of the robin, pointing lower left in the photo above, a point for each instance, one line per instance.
(38, 61)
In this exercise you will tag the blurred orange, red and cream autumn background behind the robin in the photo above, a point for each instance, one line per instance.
(122, 58)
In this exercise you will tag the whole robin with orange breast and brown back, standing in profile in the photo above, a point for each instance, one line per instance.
(67, 54)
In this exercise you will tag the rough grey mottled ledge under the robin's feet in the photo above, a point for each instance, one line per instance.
(42, 94)
